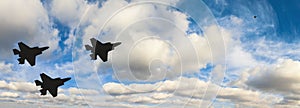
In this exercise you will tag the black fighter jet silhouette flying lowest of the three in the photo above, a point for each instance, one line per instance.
(50, 84)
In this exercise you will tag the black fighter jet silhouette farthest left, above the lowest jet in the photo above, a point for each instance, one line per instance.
(28, 53)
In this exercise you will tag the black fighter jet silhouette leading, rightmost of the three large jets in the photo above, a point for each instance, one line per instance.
(100, 49)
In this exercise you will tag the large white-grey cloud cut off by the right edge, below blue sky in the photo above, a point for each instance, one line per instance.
(282, 77)
